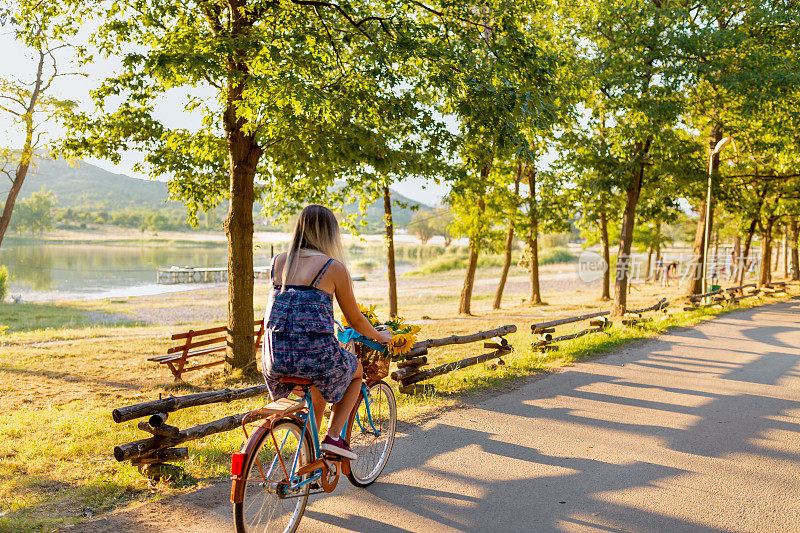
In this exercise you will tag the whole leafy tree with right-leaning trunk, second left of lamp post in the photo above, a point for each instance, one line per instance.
(633, 87)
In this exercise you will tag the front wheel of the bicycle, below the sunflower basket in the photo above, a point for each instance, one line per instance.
(371, 434)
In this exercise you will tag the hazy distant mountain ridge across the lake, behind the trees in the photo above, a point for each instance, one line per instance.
(87, 187)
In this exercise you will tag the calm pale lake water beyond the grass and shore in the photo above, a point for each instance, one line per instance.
(46, 272)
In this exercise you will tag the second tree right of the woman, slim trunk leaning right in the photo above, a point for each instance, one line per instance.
(498, 83)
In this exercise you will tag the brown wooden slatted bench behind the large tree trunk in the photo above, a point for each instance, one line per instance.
(204, 342)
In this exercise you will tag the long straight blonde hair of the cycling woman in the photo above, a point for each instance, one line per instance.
(316, 229)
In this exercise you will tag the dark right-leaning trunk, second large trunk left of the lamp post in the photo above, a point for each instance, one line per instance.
(626, 234)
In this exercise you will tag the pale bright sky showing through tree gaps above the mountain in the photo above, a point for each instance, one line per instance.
(18, 62)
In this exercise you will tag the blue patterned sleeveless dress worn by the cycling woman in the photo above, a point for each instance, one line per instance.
(299, 341)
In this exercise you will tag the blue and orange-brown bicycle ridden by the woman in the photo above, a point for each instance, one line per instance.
(281, 463)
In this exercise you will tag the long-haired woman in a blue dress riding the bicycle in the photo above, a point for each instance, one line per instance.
(299, 339)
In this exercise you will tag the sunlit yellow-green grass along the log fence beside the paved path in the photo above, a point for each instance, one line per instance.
(56, 466)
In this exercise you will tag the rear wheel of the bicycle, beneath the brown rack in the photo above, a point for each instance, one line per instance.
(270, 503)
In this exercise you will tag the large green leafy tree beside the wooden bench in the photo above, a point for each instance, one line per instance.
(292, 84)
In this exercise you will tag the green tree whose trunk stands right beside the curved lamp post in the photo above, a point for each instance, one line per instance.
(740, 60)
